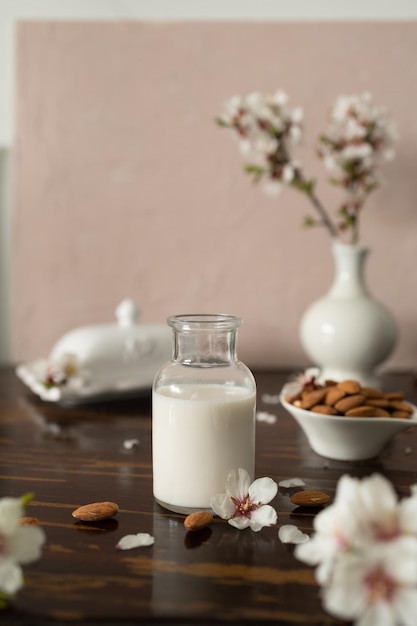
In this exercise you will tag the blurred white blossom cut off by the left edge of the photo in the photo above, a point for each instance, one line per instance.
(19, 544)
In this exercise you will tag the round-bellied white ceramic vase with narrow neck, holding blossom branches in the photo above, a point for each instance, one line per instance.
(347, 333)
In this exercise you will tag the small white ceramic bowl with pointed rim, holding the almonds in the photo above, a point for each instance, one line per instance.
(347, 438)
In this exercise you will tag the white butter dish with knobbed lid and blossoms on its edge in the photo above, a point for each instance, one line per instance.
(101, 361)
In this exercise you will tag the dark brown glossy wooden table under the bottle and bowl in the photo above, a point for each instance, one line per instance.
(69, 457)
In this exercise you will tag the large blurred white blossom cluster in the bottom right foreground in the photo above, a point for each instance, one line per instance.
(365, 550)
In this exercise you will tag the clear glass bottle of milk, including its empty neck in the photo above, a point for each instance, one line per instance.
(203, 413)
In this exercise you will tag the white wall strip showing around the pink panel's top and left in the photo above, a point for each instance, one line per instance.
(165, 10)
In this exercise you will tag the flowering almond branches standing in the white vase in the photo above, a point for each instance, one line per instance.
(358, 140)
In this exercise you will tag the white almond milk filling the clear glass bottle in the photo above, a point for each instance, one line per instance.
(200, 432)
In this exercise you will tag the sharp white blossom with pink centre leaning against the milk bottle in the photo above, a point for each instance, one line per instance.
(244, 504)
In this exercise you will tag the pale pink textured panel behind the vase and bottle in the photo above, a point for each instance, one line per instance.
(124, 186)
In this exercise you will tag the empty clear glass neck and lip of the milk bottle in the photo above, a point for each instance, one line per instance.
(204, 341)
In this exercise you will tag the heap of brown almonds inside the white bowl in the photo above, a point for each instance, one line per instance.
(351, 399)
